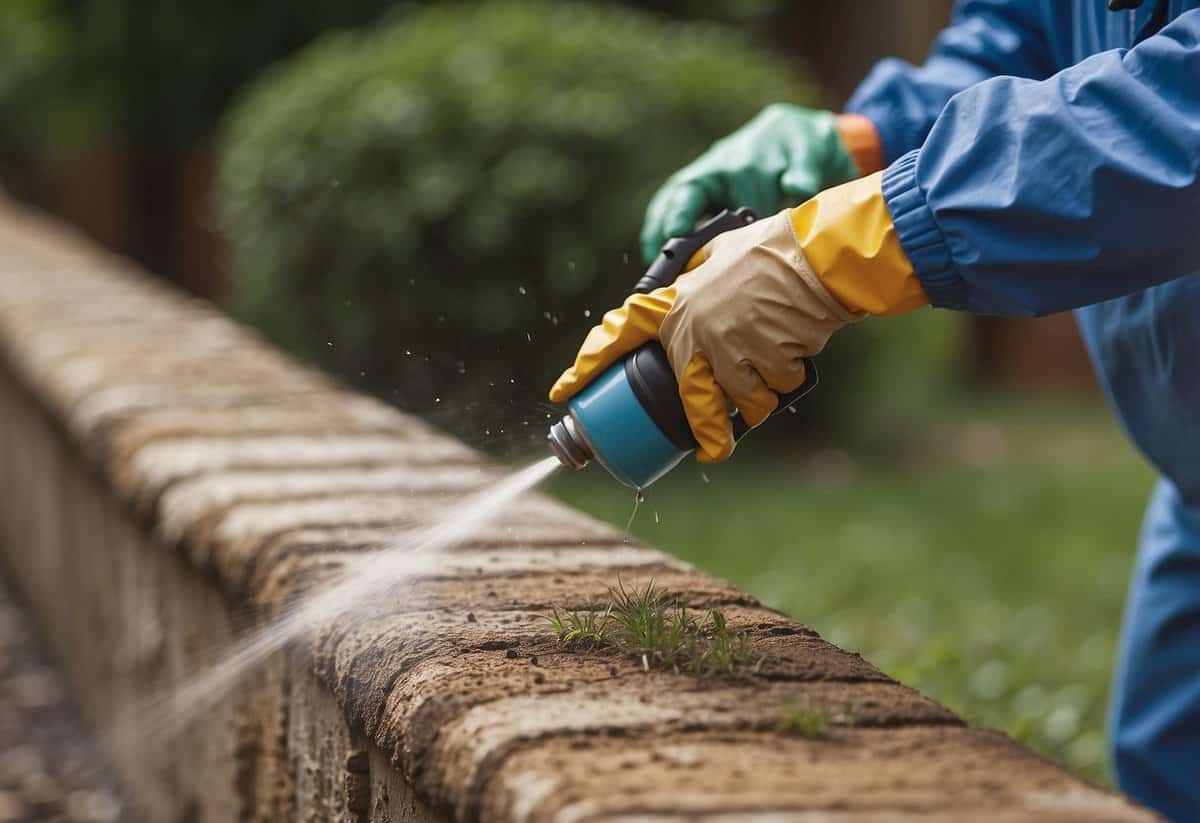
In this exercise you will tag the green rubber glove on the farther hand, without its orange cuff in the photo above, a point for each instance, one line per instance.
(783, 158)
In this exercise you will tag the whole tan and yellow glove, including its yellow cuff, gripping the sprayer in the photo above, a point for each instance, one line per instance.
(754, 303)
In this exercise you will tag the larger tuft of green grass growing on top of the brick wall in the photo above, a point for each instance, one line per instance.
(655, 628)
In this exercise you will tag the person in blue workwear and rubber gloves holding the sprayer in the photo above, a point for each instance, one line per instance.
(1046, 158)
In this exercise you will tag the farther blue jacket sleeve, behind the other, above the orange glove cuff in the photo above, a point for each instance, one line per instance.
(986, 39)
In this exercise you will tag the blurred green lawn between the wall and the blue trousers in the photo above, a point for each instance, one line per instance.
(985, 563)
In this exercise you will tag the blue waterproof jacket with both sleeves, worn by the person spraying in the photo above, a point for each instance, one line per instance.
(1046, 158)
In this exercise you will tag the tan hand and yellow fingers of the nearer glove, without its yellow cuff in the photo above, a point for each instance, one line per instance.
(736, 326)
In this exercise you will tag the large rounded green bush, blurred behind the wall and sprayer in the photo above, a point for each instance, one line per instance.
(435, 209)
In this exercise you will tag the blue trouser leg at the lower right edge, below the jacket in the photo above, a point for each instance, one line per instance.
(1155, 717)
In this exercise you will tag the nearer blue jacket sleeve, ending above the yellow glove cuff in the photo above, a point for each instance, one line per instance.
(1036, 197)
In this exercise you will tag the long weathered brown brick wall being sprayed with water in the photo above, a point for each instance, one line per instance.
(170, 480)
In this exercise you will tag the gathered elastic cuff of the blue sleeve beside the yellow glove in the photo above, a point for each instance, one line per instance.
(920, 236)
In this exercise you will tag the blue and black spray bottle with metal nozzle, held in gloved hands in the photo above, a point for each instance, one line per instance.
(631, 419)
